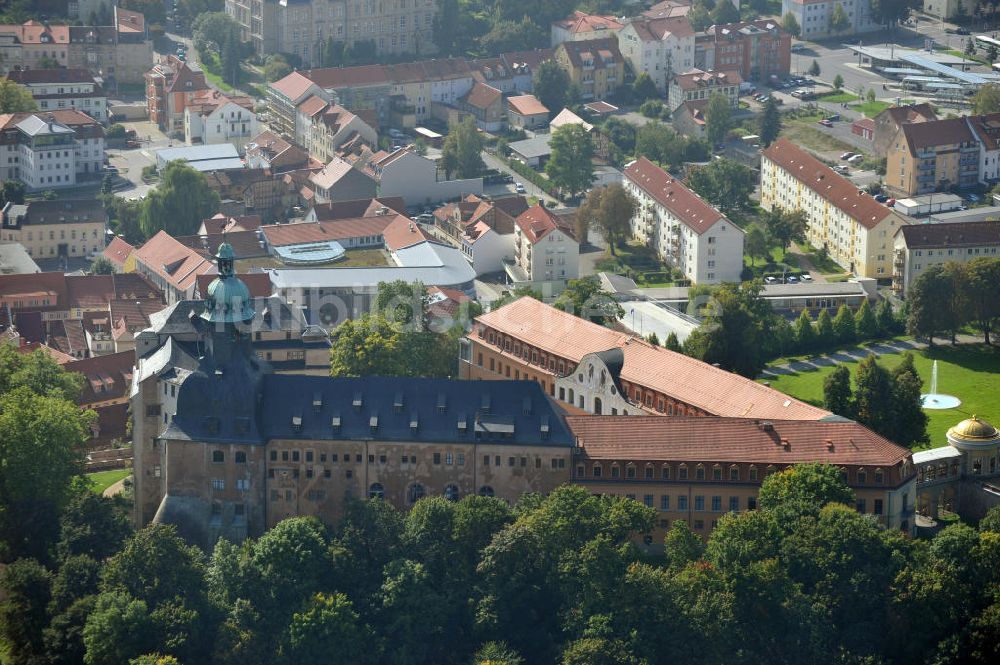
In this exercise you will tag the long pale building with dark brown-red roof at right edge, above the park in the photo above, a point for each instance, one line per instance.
(918, 247)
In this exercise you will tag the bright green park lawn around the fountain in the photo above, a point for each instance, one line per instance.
(970, 372)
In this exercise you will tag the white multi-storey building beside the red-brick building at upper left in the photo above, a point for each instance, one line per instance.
(212, 117)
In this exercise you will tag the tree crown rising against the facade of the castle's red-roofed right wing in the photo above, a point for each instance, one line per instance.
(804, 489)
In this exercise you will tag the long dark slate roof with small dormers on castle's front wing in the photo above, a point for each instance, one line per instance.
(310, 407)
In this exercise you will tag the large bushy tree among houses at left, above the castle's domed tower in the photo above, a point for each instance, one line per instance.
(179, 204)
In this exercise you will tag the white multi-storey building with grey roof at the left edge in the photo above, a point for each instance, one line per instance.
(50, 150)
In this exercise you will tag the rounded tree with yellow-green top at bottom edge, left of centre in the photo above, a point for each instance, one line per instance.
(328, 630)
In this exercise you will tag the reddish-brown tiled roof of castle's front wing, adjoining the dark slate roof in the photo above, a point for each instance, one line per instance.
(693, 439)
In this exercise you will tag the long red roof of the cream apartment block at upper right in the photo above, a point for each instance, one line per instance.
(819, 177)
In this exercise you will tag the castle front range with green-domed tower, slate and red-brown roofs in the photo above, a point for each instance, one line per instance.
(211, 458)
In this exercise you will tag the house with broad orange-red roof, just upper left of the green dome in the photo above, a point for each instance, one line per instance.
(171, 266)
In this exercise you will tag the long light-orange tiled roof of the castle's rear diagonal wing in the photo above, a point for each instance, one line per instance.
(691, 381)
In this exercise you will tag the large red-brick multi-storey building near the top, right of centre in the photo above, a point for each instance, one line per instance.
(756, 50)
